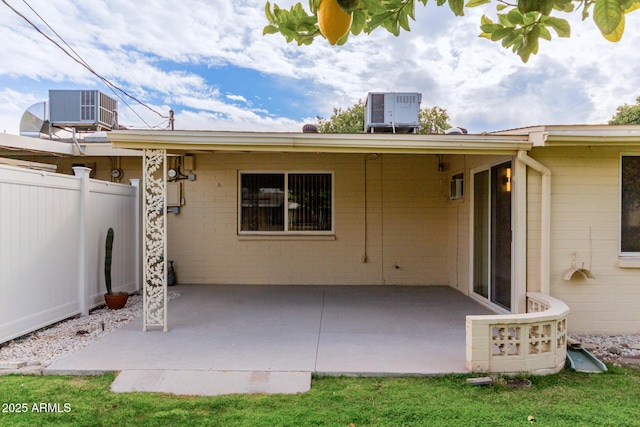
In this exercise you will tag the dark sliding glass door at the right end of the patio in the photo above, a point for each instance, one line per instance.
(492, 234)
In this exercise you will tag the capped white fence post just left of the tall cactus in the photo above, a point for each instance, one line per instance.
(83, 283)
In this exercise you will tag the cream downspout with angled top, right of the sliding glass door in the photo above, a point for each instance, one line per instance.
(545, 219)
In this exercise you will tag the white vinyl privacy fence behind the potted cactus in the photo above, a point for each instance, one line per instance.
(52, 237)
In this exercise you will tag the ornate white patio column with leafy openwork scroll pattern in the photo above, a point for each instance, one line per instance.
(154, 246)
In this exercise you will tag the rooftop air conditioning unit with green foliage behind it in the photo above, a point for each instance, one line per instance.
(396, 112)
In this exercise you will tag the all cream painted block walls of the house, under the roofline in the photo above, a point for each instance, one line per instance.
(410, 223)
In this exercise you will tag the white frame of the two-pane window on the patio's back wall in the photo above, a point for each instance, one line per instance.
(286, 231)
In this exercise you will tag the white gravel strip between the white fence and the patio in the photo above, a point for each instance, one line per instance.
(41, 348)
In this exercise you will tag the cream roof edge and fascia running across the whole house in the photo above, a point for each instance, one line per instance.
(128, 142)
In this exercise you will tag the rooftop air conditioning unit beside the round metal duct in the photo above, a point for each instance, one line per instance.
(84, 110)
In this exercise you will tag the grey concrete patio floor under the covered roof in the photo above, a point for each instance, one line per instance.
(331, 330)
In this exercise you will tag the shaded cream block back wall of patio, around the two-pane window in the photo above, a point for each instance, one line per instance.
(407, 224)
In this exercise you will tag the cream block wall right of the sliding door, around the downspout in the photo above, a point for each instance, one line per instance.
(585, 219)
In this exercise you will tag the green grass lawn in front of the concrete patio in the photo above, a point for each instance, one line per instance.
(565, 399)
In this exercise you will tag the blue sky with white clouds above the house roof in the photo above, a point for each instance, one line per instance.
(209, 62)
